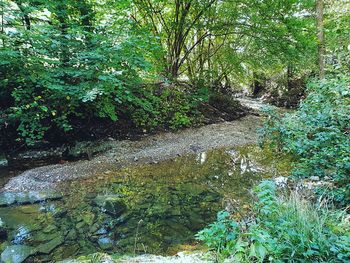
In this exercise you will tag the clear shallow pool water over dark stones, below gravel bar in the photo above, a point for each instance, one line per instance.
(153, 208)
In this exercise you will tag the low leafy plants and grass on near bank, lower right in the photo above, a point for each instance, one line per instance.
(285, 229)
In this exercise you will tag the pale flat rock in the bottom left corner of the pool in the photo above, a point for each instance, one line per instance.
(16, 254)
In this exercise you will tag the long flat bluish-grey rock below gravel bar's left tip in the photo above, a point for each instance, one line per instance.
(9, 198)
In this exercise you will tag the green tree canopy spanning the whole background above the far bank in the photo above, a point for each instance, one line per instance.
(63, 61)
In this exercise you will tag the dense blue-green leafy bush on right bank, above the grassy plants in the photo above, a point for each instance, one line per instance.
(317, 134)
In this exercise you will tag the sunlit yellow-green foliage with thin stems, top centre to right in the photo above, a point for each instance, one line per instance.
(215, 41)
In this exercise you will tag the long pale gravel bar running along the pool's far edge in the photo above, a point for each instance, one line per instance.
(151, 149)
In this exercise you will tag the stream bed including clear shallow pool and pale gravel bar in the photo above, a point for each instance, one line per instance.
(144, 197)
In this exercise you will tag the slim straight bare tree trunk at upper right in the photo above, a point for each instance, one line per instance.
(320, 37)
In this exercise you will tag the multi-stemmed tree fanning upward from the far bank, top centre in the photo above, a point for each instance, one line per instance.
(174, 22)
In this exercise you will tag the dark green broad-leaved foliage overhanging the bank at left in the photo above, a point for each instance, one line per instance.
(66, 63)
